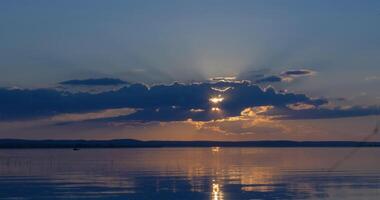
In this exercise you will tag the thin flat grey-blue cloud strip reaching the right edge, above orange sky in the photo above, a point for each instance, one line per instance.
(323, 113)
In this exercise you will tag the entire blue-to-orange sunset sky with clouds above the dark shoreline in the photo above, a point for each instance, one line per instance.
(189, 70)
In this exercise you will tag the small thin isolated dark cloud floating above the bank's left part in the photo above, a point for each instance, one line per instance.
(95, 82)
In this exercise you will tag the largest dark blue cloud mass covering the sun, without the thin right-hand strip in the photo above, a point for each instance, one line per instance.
(158, 103)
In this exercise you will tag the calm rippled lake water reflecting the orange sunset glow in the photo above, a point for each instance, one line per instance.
(189, 173)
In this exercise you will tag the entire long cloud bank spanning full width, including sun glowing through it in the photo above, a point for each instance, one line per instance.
(165, 103)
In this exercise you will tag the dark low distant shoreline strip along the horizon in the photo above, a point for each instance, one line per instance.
(129, 143)
